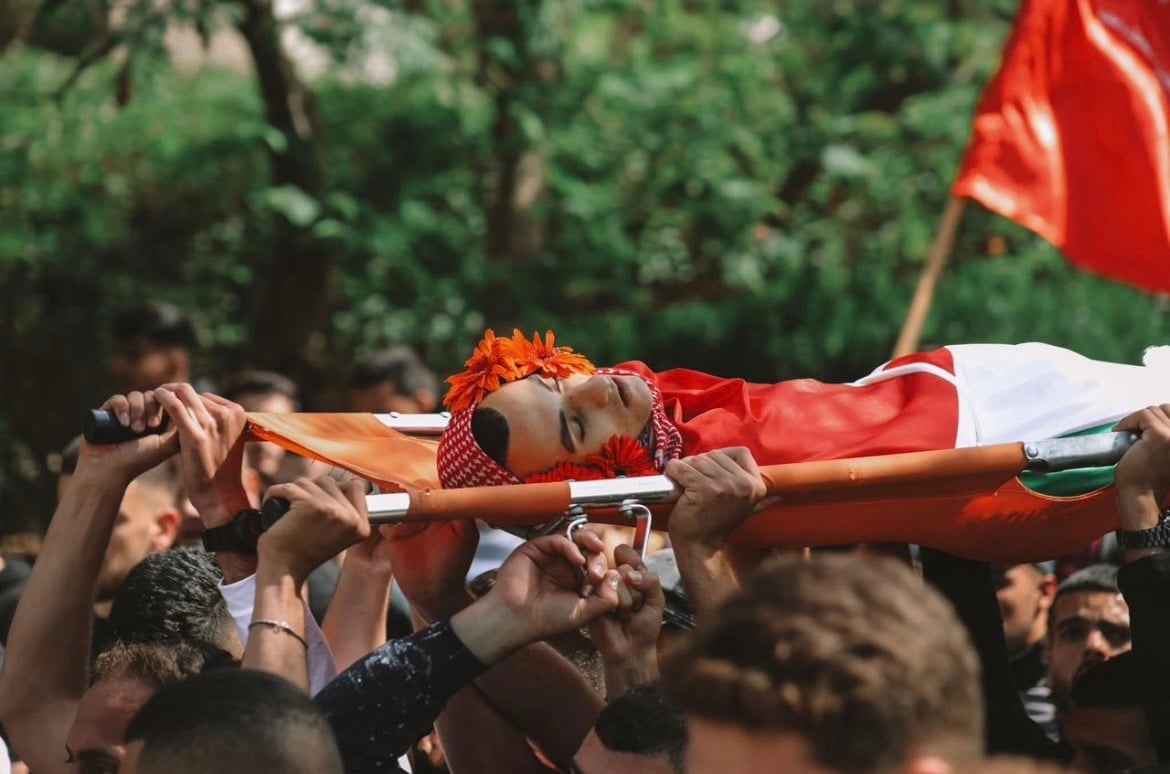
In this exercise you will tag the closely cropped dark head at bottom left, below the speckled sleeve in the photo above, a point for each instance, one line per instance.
(242, 721)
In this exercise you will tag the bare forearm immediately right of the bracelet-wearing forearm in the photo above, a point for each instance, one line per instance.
(356, 621)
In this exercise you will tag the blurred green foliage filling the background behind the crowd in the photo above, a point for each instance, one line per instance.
(740, 186)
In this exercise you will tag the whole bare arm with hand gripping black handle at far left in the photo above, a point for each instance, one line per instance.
(46, 669)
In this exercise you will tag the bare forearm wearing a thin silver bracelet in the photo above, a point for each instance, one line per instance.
(271, 648)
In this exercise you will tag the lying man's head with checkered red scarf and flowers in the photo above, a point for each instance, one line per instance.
(529, 411)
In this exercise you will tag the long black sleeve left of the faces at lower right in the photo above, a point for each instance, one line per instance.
(968, 586)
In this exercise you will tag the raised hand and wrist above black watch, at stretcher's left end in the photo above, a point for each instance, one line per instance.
(211, 441)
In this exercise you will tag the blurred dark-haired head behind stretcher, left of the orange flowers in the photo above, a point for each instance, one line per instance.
(394, 381)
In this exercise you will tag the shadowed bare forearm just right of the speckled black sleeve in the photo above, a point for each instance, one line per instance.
(546, 699)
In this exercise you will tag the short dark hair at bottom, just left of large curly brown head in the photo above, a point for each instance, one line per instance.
(645, 722)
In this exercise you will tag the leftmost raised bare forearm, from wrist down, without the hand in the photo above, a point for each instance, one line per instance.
(46, 666)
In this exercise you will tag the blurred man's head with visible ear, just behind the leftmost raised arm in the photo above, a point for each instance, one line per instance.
(148, 522)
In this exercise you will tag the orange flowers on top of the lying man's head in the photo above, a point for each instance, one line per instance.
(498, 362)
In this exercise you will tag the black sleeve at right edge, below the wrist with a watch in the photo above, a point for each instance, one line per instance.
(1146, 585)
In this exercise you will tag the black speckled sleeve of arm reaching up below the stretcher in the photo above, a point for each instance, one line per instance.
(381, 706)
